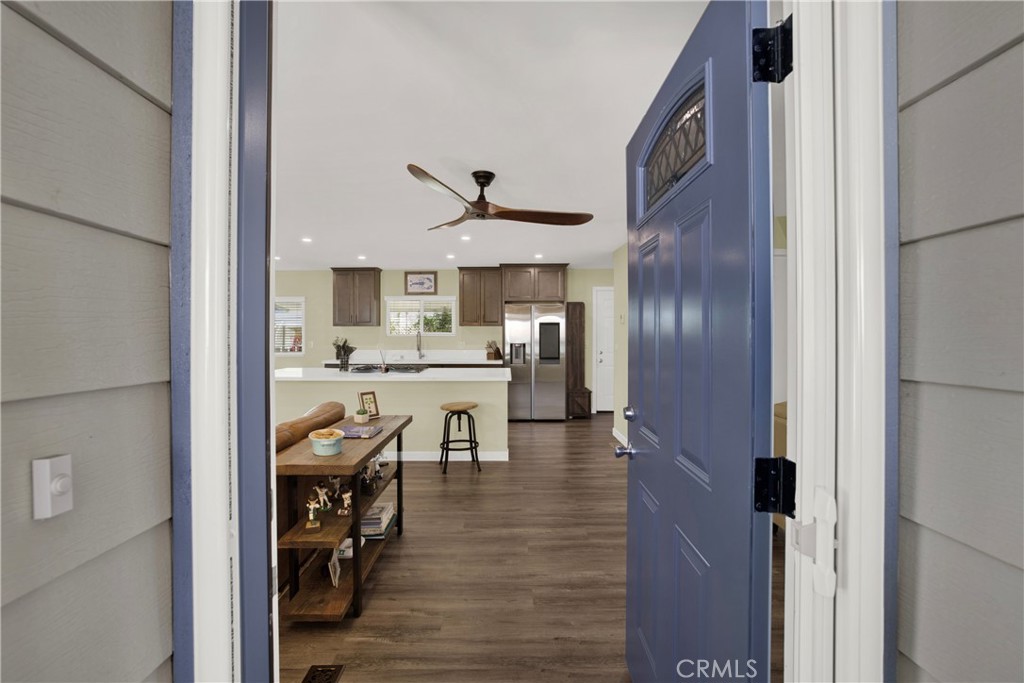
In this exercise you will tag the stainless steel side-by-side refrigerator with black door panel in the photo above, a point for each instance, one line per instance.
(535, 352)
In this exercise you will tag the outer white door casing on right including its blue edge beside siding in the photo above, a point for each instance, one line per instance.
(868, 334)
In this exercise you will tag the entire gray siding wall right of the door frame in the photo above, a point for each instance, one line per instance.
(962, 282)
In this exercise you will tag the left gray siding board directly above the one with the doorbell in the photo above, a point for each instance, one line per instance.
(83, 310)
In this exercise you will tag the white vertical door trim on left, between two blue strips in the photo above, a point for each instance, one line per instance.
(215, 518)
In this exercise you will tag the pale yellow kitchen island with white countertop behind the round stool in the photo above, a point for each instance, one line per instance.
(419, 395)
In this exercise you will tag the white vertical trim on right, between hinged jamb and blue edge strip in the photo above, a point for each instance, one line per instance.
(861, 223)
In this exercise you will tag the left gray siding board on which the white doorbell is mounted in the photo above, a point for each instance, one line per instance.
(119, 441)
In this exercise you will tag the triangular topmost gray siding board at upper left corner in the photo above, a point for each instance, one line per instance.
(138, 58)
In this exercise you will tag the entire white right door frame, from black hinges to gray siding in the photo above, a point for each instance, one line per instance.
(840, 117)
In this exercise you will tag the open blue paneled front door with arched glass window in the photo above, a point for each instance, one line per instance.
(700, 260)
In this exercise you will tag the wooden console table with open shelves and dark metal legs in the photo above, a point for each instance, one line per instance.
(317, 600)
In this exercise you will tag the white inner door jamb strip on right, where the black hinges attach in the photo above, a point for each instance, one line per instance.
(812, 324)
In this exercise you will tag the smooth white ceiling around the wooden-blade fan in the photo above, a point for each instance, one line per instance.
(545, 95)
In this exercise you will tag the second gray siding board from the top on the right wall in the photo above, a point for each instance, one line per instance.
(960, 152)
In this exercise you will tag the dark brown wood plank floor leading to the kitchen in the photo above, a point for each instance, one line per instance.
(514, 574)
